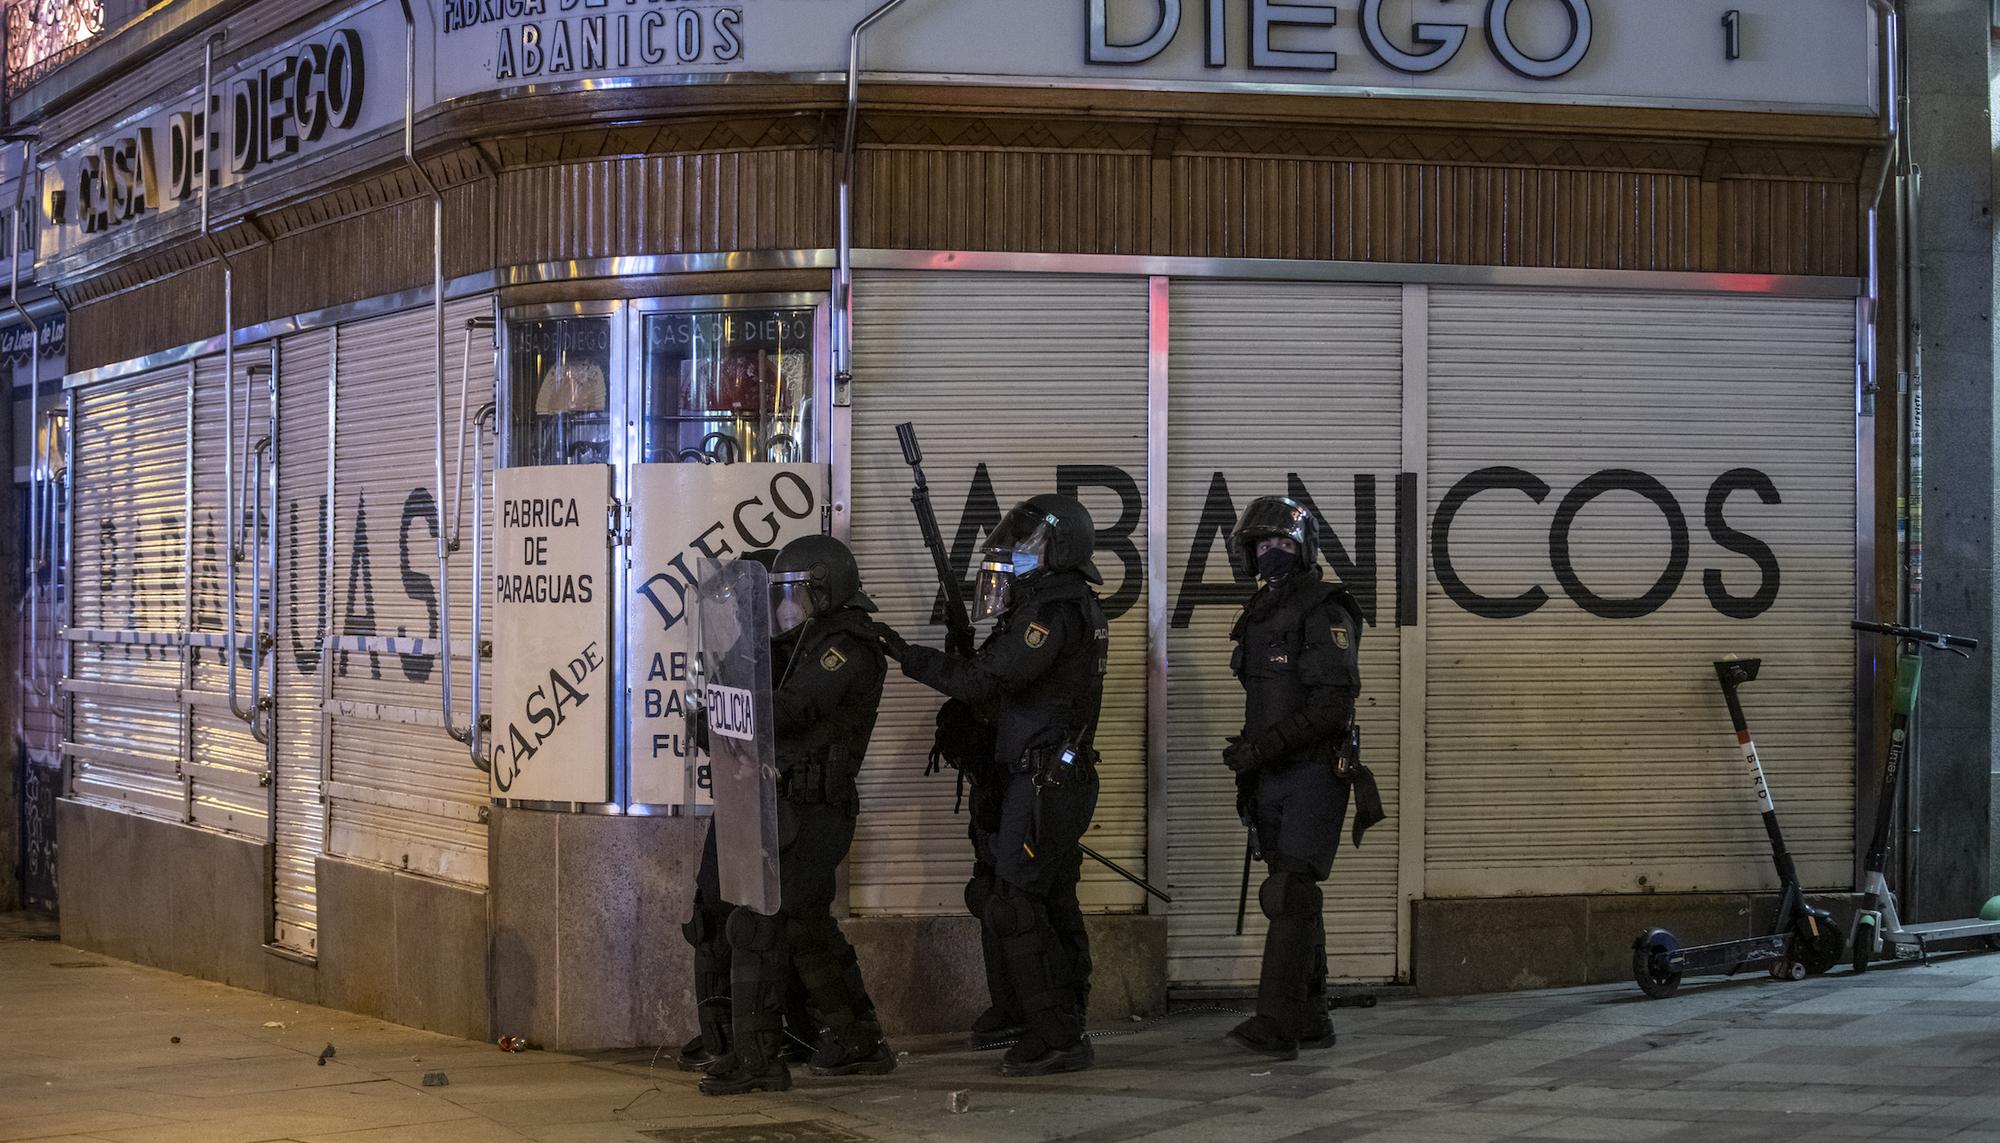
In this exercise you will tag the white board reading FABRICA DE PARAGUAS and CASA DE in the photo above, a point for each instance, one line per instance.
(553, 658)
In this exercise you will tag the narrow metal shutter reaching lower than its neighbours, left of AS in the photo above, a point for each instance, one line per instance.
(305, 417)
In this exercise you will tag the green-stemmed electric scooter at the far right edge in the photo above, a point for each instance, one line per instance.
(1877, 926)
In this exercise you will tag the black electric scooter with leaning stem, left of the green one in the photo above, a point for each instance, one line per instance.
(1803, 942)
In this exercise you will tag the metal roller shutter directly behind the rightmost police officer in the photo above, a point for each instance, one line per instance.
(1277, 391)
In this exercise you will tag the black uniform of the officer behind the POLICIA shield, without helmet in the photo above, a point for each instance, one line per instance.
(829, 684)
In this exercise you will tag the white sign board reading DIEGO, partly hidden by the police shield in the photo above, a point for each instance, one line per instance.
(683, 513)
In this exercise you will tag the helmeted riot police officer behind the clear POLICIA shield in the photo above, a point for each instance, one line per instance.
(829, 682)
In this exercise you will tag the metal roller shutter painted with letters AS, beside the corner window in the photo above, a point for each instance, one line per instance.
(401, 792)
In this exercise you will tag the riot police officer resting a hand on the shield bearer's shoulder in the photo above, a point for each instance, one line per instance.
(1041, 676)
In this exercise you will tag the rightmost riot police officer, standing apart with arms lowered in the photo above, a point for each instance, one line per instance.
(1295, 654)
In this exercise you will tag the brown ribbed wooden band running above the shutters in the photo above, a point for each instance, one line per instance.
(1047, 193)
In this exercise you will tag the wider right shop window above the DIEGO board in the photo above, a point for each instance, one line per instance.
(729, 387)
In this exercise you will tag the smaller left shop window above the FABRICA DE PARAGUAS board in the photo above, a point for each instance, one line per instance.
(561, 405)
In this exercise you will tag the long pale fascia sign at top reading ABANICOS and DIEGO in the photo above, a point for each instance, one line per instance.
(1793, 55)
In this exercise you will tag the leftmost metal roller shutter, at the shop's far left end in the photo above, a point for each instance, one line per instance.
(131, 487)
